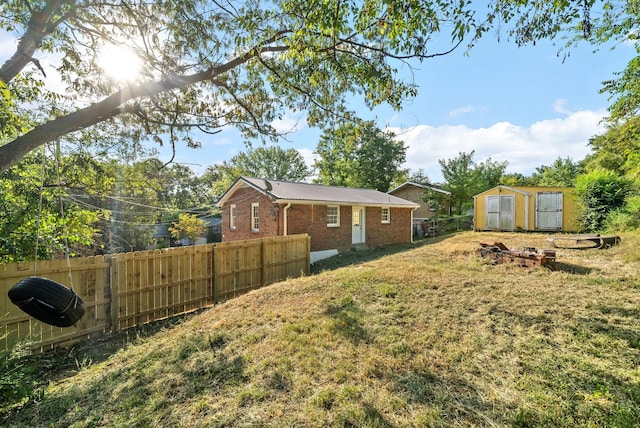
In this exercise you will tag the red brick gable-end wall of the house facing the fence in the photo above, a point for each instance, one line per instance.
(267, 211)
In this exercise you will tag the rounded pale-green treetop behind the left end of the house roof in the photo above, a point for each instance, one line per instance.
(271, 162)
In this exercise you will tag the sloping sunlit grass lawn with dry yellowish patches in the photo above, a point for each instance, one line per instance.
(409, 336)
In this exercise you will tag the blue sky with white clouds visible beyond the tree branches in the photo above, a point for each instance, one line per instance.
(524, 105)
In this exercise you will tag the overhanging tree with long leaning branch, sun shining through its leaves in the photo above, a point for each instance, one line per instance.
(206, 65)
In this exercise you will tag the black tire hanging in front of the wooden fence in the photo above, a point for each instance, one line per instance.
(47, 301)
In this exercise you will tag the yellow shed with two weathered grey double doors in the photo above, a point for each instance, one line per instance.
(526, 208)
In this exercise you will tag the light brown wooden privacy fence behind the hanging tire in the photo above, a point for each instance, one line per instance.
(129, 289)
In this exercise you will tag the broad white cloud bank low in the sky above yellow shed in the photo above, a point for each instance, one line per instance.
(523, 147)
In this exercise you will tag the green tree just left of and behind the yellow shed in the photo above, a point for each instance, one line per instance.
(465, 178)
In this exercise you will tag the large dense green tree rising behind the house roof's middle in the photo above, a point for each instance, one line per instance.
(361, 156)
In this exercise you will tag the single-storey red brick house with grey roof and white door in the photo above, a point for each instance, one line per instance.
(336, 218)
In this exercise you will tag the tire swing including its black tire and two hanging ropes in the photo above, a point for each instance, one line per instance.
(42, 298)
